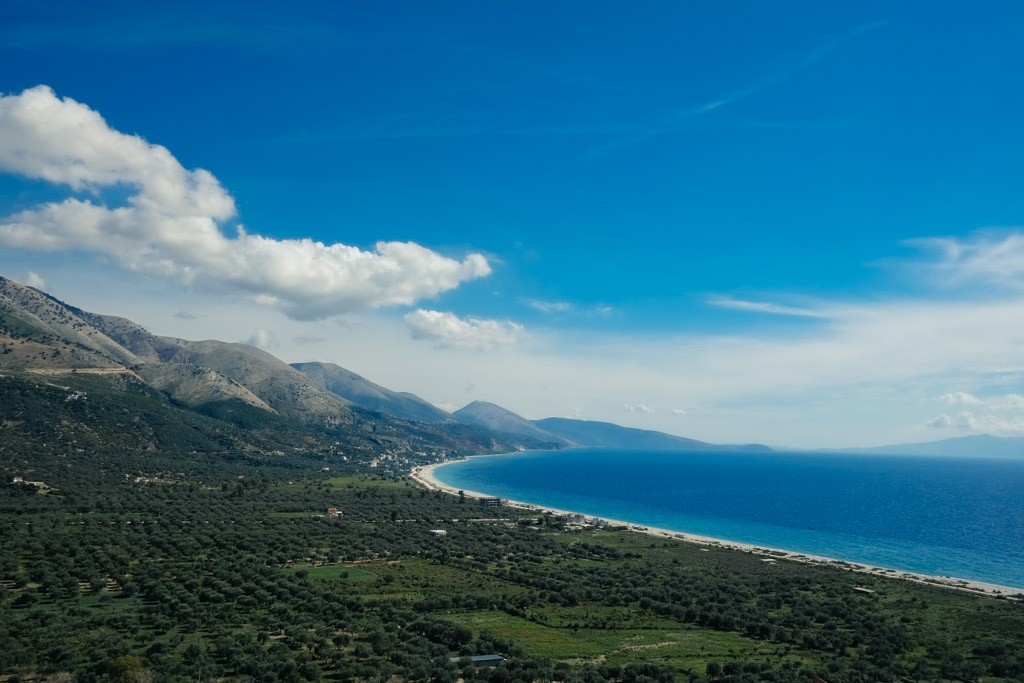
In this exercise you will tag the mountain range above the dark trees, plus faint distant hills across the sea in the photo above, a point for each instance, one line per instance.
(42, 336)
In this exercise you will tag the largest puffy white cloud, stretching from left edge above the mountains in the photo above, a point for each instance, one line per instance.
(170, 226)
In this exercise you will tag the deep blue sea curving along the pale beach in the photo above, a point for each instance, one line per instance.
(946, 517)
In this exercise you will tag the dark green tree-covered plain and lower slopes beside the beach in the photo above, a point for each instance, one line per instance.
(211, 556)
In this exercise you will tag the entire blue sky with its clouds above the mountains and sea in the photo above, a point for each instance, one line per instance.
(796, 224)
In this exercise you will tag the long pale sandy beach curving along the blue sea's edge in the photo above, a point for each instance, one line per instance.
(424, 476)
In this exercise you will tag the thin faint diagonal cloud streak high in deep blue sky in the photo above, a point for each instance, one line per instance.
(671, 123)
